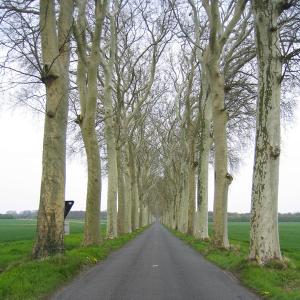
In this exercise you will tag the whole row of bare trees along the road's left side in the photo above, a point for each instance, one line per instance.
(97, 61)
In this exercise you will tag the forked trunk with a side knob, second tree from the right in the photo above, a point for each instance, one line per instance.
(212, 56)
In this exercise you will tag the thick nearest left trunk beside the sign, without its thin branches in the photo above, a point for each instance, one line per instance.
(55, 52)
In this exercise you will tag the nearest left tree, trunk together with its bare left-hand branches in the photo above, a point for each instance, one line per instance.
(38, 50)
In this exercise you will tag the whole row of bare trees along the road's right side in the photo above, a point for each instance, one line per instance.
(216, 91)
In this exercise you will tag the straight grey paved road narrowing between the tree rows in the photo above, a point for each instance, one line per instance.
(156, 265)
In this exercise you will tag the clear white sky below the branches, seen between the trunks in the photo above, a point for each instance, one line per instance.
(21, 134)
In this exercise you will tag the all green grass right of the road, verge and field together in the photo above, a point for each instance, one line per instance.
(273, 281)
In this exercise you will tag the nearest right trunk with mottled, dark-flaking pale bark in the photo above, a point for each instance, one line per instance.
(264, 240)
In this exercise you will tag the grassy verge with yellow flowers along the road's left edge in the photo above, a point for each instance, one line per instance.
(23, 278)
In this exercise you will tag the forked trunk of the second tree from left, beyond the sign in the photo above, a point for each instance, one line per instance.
(87, 70)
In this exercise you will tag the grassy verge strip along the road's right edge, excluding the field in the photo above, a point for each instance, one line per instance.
(271, 282)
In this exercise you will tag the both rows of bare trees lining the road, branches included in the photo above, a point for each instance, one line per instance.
(156, 90)
